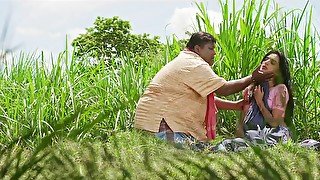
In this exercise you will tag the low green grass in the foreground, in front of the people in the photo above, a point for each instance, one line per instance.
(138, 155)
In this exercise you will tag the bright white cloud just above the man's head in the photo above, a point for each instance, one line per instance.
(184, 19)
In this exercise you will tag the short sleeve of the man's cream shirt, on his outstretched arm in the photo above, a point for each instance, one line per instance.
(203, 80)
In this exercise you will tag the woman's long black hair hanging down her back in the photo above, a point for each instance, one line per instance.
(285, 73)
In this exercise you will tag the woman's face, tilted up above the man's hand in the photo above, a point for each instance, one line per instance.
(271, 64)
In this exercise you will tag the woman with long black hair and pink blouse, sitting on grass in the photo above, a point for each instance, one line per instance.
(271, 102)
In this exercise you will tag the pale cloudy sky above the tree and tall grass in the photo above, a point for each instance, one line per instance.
(44, 25)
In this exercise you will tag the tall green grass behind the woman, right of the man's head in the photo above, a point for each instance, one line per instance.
(245, 35)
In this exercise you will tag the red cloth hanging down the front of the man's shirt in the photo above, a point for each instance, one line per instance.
(211, 117)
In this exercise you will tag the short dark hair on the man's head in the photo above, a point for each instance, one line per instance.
(200, 38)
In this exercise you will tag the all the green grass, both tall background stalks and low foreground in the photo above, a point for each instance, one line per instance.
(52, 121)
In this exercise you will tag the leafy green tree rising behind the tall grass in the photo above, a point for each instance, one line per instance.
(111, 37)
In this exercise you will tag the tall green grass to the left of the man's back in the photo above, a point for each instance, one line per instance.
(34, 98)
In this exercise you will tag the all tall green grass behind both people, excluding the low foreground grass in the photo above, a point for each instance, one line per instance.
(34, 98)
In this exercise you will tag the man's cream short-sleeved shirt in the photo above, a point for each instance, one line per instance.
(178, 94)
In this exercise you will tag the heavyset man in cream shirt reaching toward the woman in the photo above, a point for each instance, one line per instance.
(180, 100)
